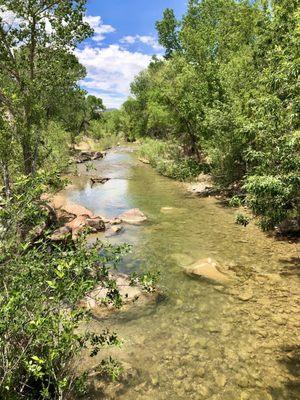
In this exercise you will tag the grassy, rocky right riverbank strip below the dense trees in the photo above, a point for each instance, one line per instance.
(168, 159)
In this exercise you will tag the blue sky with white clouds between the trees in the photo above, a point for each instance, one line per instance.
(124, 41)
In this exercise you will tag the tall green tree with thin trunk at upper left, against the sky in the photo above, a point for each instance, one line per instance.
(37, 64)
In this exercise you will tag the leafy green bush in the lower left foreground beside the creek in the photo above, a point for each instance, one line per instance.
(39, 317)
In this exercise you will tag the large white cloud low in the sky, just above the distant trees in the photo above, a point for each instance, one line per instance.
(110, 71)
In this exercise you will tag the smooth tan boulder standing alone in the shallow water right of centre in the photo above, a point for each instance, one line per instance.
(207, 269)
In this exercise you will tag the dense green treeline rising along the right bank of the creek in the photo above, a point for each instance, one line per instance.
(227, 92)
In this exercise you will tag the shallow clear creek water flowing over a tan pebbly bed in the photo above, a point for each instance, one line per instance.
(203, 341)
